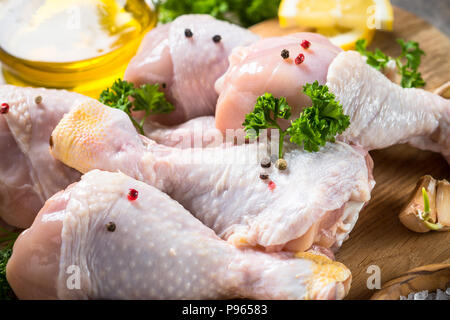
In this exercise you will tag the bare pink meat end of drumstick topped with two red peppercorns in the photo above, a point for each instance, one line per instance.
(259, 68)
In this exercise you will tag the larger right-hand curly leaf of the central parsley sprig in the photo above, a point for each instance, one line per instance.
(321, 122)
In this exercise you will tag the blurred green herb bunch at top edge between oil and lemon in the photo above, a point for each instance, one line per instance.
(244, 12)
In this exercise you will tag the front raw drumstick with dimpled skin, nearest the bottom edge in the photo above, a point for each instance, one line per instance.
(149, 247)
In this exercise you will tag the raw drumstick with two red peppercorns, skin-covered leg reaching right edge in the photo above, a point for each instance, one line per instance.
(382, 113)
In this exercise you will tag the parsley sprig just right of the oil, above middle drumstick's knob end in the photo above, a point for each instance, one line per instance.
(146, 98)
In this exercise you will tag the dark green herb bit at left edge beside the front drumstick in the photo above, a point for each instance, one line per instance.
(6, 243)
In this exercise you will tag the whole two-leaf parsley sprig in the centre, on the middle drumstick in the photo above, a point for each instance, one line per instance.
(316, 125)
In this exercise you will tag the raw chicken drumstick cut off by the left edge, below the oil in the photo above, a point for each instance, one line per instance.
(29, 175)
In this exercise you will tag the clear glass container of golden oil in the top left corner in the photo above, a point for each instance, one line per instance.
(79, 45)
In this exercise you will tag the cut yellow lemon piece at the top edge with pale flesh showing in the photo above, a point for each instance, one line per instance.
(351, 14)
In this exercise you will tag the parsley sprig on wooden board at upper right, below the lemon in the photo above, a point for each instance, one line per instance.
(411, 53)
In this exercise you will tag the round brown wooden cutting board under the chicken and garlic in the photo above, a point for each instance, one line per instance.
(378, 237)
